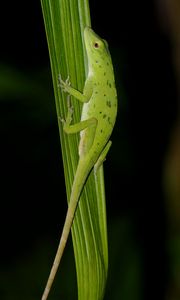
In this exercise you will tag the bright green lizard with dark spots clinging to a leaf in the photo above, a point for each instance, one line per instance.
(99, 111)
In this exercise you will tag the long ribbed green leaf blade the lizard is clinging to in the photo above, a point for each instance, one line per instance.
(64, 24)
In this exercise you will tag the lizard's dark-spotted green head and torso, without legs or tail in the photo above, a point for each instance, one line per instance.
(101, 93)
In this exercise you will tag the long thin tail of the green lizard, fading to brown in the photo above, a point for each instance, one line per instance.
(79, 181)
